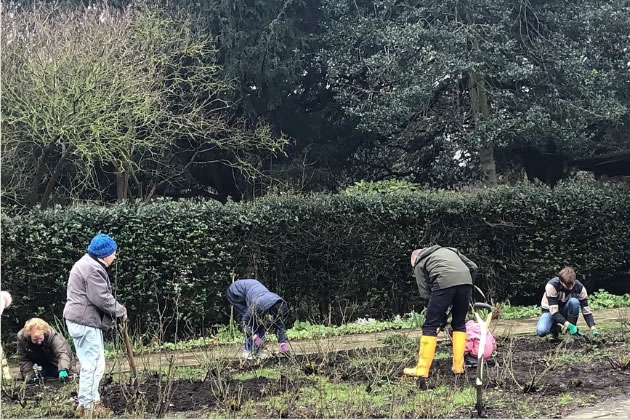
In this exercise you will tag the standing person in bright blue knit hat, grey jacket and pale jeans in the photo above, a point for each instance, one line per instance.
(90, 309)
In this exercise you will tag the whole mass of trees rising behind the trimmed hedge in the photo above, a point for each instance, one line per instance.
(441, 93)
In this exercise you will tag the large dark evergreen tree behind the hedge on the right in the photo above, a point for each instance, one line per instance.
(549, 71)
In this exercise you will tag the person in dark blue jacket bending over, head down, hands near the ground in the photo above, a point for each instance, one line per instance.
(259, 310)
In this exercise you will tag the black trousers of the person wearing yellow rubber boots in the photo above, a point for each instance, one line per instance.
(441, 299)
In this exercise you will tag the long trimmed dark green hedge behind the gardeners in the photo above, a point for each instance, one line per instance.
(338, 256)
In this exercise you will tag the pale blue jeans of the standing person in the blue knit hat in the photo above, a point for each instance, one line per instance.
(88, 342)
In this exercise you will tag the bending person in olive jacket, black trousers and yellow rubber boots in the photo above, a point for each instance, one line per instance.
(445, 277)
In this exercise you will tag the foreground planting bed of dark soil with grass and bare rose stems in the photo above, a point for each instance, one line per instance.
(529, 377)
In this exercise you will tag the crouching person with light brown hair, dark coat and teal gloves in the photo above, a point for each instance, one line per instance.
(40, 344)
